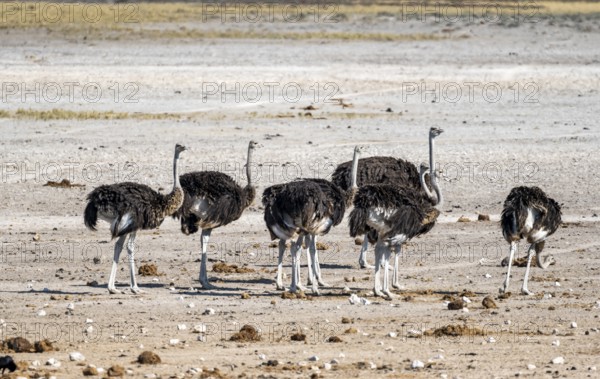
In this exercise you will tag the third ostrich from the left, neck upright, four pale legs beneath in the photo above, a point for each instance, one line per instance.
(305, 208)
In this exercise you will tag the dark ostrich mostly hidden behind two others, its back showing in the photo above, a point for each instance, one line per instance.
(379, 170)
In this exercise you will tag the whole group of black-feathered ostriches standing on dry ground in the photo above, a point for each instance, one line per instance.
(392, 201)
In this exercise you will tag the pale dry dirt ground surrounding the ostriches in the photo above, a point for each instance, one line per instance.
(531, 118)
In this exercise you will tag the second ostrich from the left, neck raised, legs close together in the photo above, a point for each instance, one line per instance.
(213, 199)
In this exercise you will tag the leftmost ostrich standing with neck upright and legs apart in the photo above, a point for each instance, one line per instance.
(129, 207)
